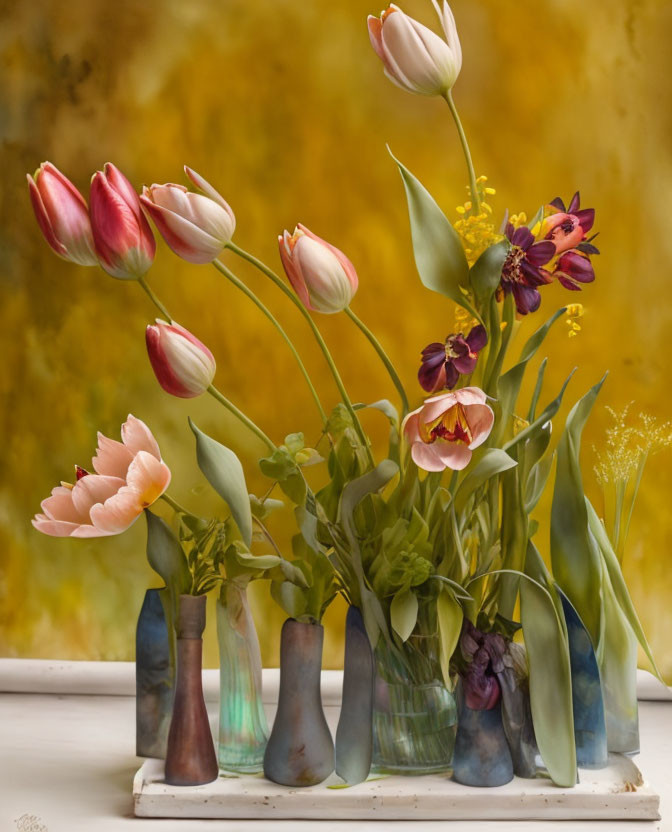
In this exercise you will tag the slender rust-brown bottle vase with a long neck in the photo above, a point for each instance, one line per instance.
(190, 755)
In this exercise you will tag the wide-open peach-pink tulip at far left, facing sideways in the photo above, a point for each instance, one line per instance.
(129, 477)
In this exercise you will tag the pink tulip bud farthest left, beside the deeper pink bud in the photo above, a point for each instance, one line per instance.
(62, 215)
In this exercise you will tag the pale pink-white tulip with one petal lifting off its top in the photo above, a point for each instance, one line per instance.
(196, 227)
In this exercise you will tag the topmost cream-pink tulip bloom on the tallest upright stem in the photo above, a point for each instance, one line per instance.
(415, 58)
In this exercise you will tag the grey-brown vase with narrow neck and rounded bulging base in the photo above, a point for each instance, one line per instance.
(300, 750)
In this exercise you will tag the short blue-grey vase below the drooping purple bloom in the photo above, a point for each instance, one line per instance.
(482, 756)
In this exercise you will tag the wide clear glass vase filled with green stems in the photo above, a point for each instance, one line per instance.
(414, 714)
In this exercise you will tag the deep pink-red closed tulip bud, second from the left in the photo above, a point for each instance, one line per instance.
(124, 241)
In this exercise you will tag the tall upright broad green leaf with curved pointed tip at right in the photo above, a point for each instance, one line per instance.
(574, 552)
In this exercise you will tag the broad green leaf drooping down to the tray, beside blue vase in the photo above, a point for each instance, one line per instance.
(550, 682)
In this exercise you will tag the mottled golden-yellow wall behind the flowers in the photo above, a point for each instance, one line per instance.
(284, 107)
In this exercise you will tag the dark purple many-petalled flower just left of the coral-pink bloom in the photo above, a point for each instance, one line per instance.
(522, 272)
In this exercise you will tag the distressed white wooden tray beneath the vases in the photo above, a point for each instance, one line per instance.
(616, 792)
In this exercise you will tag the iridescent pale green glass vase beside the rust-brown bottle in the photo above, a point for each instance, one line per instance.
(243, 730)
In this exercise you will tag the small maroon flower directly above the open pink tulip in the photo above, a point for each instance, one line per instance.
(442, 364)
